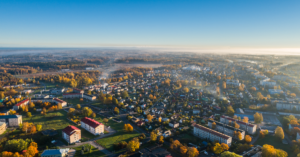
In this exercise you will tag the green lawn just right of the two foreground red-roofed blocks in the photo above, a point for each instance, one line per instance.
(108, 142)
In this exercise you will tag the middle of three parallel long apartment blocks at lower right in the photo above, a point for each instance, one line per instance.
(226, 129)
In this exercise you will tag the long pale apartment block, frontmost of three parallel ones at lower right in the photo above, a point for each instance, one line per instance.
(212, 135)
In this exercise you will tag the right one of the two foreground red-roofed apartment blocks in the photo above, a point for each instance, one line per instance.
(92, 126)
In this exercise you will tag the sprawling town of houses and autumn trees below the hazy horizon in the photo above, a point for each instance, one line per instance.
(222, 107)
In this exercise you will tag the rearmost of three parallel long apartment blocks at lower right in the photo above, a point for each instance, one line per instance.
(249, 128)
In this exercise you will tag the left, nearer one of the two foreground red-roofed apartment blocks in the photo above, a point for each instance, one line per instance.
(71, 134)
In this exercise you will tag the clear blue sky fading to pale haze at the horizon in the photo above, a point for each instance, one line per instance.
(150, 23)
